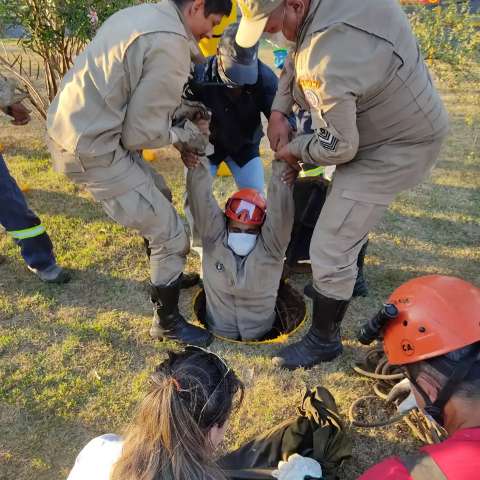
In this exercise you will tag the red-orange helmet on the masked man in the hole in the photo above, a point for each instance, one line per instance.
(247, 206)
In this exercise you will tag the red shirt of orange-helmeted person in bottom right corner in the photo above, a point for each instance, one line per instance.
(458, 457)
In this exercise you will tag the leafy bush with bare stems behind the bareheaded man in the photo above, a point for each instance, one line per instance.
(56, 31)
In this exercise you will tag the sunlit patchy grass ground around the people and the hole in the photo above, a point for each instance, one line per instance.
(74, 359)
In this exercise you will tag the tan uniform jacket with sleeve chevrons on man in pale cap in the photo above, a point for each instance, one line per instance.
(375, 112)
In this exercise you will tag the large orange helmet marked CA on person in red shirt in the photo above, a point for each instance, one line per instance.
(436, 315)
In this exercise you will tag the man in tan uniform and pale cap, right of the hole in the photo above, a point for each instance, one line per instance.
(375, 114)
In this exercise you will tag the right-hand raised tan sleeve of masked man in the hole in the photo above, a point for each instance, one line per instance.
(277, 229)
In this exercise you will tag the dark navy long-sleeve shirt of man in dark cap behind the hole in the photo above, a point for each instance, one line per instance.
(236, 127)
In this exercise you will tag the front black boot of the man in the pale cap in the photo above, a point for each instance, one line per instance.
(322, 342)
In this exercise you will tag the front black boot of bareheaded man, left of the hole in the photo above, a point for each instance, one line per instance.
(168, 323)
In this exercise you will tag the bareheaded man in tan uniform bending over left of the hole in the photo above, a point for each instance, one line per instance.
(120, 97)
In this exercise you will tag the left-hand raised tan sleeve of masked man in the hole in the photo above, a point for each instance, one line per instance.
(208, 218)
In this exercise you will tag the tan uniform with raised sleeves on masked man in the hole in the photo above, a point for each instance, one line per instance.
(241, 293)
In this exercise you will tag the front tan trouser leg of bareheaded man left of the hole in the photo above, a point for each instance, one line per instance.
(148, 209)
